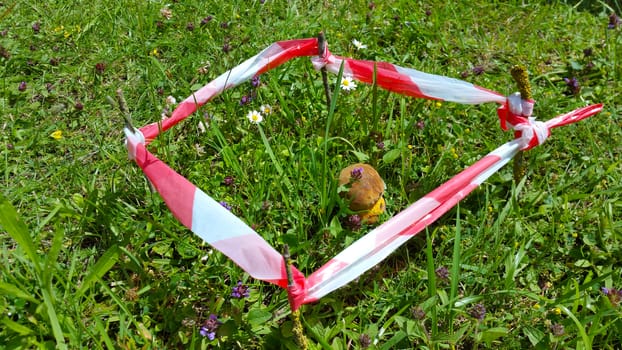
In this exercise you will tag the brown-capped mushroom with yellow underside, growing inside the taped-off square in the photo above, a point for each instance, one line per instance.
(365, 192)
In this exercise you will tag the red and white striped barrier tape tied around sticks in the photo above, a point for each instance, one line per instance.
(230, 235)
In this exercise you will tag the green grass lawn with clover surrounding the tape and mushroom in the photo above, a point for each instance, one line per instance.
(91, 258)
